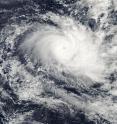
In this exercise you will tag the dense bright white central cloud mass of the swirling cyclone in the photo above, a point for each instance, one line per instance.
(69, 47)
